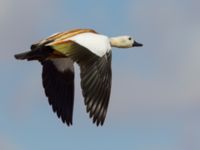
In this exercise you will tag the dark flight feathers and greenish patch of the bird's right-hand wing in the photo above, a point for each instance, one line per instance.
(95, 77)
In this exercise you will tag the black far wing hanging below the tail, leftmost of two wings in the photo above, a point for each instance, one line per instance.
(59, 87)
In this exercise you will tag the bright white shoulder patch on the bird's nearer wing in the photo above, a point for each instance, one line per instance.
(98, 44)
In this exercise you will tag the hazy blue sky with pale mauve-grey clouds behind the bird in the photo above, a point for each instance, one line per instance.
(155, 101)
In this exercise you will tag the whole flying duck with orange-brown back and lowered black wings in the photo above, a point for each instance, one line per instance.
(92, 52)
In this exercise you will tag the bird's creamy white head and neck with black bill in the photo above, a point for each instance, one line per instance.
(124, 42)
